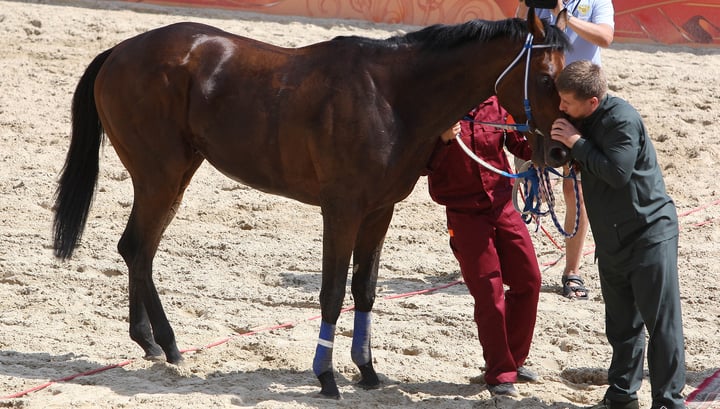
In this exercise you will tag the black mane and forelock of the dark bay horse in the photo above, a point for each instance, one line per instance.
(443, 36)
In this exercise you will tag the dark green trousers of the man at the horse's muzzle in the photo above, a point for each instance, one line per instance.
(641, 291)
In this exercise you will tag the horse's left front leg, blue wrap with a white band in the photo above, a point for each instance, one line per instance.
(339, 231)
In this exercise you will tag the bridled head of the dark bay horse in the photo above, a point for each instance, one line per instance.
(537, 70)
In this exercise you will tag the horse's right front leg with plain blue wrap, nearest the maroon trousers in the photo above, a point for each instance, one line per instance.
(366, 261)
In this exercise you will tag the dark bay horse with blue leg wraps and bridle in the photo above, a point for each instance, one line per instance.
(347, 124)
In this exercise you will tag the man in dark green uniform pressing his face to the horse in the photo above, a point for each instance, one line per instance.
(634, 224)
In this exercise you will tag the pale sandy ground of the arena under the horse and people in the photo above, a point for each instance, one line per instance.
(235, 259)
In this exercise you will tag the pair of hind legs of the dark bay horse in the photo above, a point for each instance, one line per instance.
(157, 197)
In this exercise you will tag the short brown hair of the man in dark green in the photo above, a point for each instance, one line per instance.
(584, 79)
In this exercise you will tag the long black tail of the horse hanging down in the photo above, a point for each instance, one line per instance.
(76, 186)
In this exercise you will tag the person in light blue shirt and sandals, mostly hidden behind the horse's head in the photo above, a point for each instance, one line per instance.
(590, 27)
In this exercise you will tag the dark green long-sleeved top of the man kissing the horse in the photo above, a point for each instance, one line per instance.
(623, 187)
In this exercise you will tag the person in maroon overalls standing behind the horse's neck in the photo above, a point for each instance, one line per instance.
(490, 241)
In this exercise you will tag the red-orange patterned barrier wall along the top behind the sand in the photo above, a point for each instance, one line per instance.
(690, 22)
